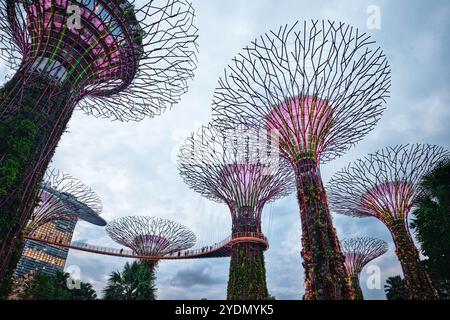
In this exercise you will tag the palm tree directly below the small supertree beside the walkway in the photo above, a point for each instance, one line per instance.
(136, 282)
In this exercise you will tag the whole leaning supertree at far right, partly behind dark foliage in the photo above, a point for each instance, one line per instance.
(385, 185)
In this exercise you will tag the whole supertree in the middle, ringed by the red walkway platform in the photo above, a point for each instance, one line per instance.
(243, 170)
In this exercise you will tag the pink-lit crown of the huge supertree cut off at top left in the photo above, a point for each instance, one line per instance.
(117, 59)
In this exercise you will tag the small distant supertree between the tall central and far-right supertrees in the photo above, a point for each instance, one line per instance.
(358, 252)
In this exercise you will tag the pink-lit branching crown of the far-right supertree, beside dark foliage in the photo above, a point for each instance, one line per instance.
(384, 184)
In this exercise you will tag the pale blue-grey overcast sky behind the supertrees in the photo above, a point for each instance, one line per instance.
(133, 167)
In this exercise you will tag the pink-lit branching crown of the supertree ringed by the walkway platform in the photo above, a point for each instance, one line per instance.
(237, 167)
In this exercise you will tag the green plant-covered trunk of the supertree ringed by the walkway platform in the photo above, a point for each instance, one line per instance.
(247, 279)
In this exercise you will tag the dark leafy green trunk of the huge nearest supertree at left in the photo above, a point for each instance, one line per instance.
(33, 115)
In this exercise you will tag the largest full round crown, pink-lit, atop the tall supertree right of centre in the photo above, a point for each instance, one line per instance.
(321, 84)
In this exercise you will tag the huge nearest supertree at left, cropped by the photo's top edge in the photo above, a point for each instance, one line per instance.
(109, 58)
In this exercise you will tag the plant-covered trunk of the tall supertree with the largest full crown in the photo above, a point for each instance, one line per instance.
(323, 262)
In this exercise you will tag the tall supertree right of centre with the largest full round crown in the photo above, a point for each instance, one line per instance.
(318, 89)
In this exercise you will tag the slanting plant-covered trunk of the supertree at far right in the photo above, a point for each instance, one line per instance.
(417, 281)
